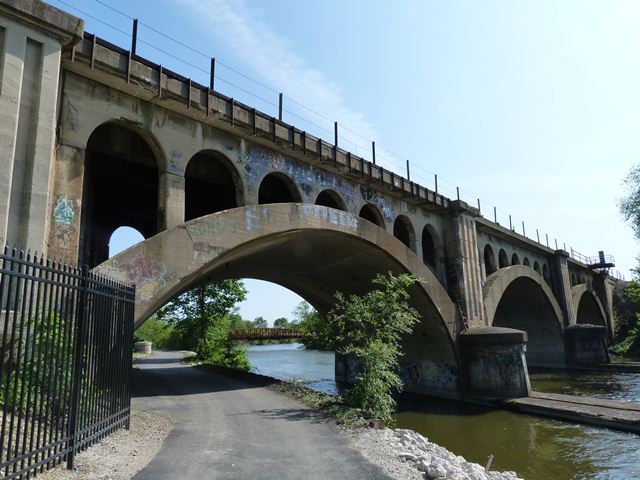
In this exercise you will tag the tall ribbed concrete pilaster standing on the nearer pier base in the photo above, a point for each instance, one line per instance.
(467, 274)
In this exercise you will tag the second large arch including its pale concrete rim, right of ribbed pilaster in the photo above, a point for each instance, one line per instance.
(518, 297)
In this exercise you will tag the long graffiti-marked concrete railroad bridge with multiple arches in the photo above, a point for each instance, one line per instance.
(93, 138)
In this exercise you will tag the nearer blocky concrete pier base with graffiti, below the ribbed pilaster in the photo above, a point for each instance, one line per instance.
(494, 363)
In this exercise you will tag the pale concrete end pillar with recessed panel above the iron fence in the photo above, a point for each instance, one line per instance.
(32, 36)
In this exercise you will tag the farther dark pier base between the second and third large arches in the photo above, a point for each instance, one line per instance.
(586, 344)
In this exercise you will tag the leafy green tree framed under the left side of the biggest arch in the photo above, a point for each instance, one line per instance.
(195, 312)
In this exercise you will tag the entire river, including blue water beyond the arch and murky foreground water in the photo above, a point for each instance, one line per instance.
(536, 448)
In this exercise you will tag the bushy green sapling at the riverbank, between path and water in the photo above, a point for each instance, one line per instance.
(369, 328)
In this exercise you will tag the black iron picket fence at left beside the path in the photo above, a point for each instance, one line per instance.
(65, 361)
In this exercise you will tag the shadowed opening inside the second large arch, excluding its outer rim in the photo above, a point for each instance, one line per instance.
(524, 305)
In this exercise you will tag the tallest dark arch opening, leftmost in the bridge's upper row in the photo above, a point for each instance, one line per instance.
(120, 187)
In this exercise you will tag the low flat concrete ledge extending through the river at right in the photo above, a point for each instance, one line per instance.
(594, 411)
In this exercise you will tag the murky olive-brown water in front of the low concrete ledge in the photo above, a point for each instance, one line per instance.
(536, 448)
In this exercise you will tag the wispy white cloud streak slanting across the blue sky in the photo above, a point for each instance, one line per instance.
(274, 58)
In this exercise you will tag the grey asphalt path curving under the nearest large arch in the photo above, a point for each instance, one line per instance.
(231, 429)
